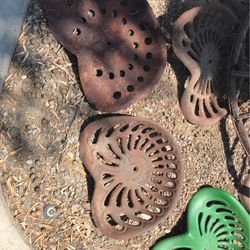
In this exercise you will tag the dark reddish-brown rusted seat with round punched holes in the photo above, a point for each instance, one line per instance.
(120, 50)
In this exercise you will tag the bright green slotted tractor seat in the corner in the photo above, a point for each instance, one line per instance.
(216, 220)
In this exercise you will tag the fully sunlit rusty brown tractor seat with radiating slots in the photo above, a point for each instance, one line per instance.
(138, 173)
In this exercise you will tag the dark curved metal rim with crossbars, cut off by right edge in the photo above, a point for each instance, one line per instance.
(239, 85)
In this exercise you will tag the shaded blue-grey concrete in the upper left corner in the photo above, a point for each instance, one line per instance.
(12, 13)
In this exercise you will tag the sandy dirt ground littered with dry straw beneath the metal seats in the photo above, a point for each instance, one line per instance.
(41, 112)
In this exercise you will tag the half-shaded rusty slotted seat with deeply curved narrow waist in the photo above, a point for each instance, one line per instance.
(202, 39)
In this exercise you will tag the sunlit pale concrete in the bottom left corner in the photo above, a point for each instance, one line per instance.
(10, 238)
